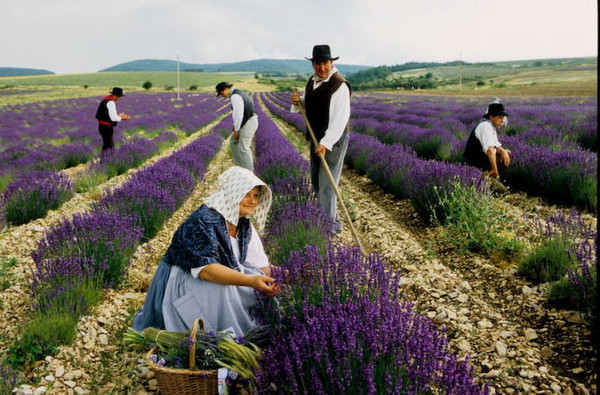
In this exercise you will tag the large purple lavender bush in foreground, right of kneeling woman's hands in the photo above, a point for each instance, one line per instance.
(342, 330)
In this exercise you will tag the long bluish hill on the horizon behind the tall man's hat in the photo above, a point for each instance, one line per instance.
(271, 66)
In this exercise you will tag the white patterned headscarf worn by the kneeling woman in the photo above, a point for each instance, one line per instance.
(234, 184)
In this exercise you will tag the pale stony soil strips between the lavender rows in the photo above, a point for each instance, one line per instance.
(517, 344)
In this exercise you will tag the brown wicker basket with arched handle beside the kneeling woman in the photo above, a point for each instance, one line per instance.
(185, 381)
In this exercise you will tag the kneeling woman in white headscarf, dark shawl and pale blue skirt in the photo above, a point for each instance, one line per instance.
(215, 262)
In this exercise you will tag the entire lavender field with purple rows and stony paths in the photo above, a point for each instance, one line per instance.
(448, 300)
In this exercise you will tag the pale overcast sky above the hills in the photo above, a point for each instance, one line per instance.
(83, 36)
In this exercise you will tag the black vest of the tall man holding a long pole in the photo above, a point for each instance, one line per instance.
(317, 103)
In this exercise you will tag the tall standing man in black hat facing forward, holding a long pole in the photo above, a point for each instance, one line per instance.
(327, 103)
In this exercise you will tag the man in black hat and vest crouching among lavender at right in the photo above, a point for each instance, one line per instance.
(483, 150)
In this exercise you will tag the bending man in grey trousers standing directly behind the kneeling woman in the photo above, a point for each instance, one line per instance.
(245, 123)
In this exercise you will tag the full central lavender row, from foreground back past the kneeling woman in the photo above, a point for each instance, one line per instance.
(339, 325)
